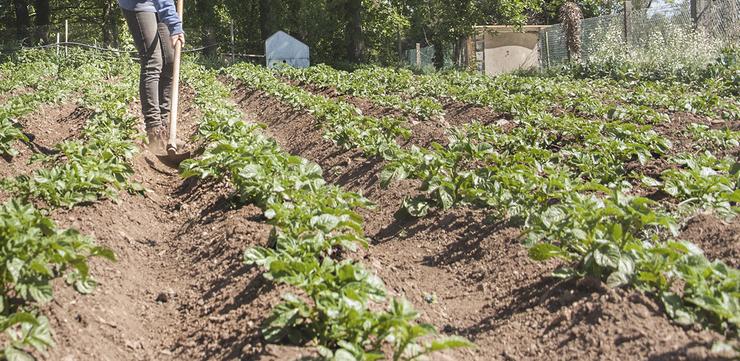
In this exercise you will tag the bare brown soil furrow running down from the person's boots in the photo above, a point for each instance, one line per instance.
(179, 290)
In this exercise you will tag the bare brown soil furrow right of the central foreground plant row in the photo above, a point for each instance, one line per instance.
(468, 274)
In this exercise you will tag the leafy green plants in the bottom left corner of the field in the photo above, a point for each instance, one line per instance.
(34, 253)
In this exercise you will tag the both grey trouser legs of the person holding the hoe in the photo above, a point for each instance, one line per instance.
(156, 65)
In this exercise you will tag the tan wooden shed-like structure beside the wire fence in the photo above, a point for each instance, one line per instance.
(497, 49)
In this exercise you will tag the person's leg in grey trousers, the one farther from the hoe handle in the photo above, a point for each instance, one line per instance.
(143, 27)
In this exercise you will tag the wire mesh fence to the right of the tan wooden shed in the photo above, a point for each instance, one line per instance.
(718, 20)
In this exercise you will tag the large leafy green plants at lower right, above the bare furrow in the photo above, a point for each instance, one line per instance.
(608, 239)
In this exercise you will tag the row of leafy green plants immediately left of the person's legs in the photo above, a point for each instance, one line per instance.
(99, 164)
